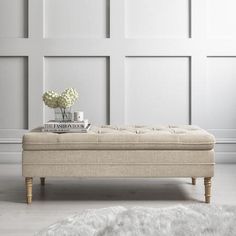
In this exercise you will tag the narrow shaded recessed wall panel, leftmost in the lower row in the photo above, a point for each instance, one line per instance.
(13, 93)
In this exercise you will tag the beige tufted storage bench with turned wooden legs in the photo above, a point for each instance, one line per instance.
(120, 151)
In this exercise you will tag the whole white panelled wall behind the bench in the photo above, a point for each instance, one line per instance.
(132, 61)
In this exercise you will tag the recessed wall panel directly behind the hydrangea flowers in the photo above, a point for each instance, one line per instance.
(89, 75)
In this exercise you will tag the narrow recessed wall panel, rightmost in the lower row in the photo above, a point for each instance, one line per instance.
(220, 93)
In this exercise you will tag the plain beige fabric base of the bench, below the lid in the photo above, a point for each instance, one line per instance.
(114, 163)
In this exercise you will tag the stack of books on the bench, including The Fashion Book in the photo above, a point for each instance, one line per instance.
(67, 127)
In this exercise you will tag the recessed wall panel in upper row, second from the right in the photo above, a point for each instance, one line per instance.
(157, 18)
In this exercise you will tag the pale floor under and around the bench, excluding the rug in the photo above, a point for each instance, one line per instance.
(60, 198)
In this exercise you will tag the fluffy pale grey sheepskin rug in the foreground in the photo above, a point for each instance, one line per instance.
(189, 220)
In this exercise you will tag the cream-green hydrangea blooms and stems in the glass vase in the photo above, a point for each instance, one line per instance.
(62, 101)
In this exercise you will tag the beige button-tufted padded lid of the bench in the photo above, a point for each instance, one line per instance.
(110, 137)
